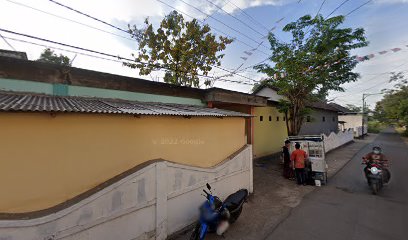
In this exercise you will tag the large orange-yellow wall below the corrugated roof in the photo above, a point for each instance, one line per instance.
(47, 160)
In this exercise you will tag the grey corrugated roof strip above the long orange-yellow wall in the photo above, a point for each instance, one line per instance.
(26, 102)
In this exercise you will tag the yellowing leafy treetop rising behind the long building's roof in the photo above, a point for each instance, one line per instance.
(184, 49)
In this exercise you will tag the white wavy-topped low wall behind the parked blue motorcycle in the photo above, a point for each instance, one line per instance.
(151, 203)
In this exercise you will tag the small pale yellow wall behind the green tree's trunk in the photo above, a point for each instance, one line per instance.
(269, 136)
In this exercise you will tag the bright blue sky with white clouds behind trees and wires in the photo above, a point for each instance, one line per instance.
(248, 22)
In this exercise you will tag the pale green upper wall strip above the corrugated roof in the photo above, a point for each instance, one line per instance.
(62, 90)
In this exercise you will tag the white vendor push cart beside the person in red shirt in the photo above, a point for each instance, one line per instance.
(313, 145)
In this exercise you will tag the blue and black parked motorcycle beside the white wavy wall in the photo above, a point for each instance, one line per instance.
(215, 215)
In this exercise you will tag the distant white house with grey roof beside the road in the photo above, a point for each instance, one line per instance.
(349, 119)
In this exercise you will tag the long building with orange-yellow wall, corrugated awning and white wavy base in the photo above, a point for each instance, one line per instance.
(100, 156)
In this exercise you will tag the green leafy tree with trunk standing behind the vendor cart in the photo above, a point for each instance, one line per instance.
(316, 60)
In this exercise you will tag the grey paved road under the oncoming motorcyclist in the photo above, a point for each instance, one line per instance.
(346, 209)
